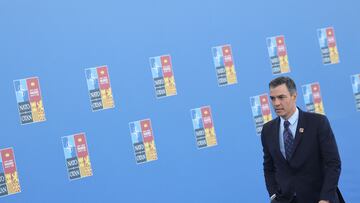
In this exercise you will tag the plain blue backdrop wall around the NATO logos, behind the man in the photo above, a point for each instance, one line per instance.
(57, 40)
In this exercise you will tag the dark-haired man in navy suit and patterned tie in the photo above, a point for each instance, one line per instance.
(301, 159)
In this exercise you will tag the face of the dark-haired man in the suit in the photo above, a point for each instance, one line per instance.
(283, 102)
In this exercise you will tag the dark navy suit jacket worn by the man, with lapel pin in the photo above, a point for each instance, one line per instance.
(313, 171)
